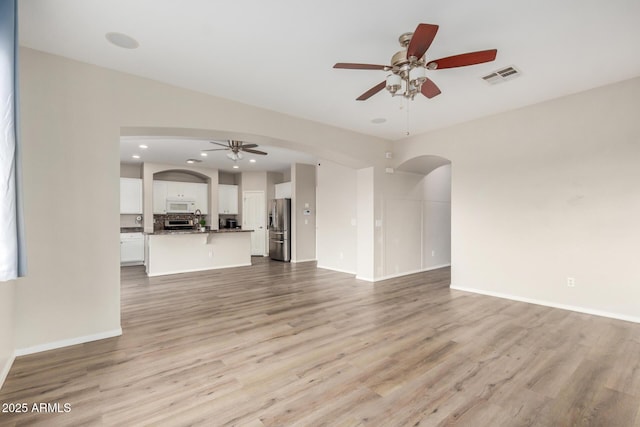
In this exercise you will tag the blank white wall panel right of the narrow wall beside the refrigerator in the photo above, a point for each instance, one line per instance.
(337, 217)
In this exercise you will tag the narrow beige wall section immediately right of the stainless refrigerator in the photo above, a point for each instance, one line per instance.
(303, 197)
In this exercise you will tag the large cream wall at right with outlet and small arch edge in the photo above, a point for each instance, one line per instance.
(544, 193)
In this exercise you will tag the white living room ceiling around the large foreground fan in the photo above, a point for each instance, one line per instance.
(279, 54)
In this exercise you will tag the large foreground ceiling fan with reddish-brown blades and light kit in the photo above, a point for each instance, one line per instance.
(409, 67)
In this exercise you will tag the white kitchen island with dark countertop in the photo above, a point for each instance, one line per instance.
(172, 252)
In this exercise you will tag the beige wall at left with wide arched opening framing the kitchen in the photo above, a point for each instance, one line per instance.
(72, 117)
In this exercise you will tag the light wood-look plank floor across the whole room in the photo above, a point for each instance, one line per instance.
(279, 344)
